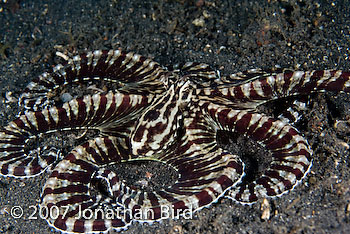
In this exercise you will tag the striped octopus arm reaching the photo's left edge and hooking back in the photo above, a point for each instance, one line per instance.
(89, 112)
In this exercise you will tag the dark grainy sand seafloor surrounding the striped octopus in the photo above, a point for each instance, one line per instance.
(229, 35)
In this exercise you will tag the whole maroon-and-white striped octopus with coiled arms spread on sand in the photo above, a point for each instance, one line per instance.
(143, 111)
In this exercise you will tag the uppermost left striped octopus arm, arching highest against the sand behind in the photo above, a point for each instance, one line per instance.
(126, 72)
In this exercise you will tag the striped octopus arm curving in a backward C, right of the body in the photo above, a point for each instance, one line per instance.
(291, 154)
